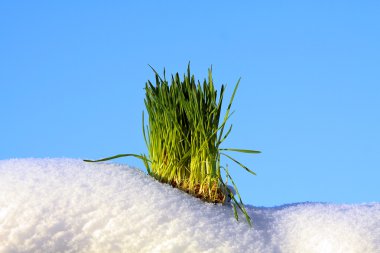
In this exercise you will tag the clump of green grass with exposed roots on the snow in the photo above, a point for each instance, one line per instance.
(184, 134)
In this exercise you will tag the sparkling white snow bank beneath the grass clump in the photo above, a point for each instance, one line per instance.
(66, 205)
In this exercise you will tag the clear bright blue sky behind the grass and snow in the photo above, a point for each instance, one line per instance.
(72, 76)
